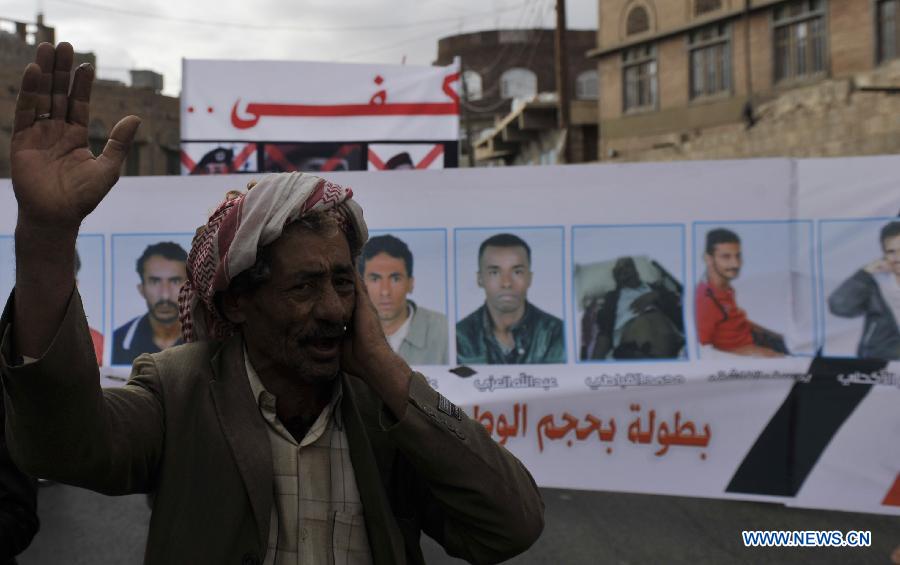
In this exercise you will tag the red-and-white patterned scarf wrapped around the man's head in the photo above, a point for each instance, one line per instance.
(229, 242)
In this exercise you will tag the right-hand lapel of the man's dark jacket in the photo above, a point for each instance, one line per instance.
(385, 538)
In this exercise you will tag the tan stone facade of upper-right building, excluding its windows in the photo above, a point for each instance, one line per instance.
(821, 114)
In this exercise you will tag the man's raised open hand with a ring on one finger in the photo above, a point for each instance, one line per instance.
(56, 178)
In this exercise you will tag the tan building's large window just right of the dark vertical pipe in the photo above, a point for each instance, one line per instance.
(799, 39)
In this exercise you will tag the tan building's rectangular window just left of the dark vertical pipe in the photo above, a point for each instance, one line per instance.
(710, 61)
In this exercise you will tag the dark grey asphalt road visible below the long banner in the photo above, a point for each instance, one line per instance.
(82, 527)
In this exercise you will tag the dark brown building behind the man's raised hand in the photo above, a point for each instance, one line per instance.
(156, 149)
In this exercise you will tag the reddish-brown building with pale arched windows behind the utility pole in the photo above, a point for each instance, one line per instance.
(500, 66)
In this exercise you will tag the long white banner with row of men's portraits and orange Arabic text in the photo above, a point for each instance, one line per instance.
(600, 404)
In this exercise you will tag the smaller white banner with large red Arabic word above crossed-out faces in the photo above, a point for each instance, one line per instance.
(249, 116)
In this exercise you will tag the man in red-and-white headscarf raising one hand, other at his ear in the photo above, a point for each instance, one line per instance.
(285, 429)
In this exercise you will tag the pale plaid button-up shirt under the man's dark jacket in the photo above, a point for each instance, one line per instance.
(317, 516)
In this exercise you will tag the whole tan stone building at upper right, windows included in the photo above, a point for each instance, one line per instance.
(698, 79)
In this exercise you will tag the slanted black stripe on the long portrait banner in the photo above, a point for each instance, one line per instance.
(792, 442)
